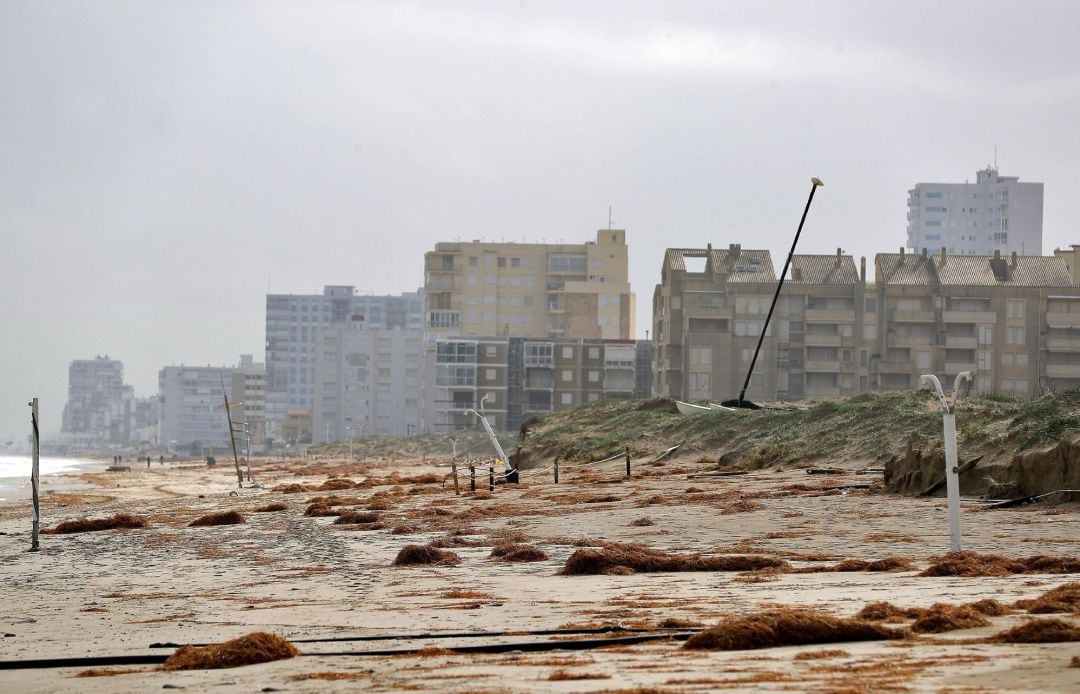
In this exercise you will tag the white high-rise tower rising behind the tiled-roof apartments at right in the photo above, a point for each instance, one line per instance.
(995, 214)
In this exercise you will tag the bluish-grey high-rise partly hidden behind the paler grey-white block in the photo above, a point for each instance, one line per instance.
(293, 322)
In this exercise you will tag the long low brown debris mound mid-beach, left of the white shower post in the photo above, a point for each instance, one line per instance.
(616, 559)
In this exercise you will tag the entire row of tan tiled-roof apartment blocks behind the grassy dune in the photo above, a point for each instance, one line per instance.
(1014, 320)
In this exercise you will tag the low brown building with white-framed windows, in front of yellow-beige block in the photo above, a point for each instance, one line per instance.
(517, 378)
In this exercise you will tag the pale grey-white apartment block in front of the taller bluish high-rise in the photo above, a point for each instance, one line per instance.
(368, 382)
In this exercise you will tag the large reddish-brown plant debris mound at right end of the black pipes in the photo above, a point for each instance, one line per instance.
(788, 628)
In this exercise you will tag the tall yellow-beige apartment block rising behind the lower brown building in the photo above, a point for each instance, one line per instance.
(534, 291)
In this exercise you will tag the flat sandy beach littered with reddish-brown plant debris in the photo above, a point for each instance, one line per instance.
(117, 592)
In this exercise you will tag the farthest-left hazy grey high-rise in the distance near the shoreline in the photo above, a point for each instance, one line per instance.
(99, 404)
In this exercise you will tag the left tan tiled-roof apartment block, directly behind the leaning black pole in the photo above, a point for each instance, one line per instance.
(710, 309)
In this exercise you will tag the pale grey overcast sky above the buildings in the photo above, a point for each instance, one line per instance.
(165, 165)
